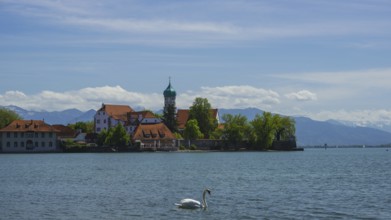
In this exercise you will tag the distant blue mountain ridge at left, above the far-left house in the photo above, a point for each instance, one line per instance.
(56, 117)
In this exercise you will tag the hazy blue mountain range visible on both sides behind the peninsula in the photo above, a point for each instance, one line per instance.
(308, 132)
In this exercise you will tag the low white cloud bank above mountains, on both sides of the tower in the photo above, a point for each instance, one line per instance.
(92, 97)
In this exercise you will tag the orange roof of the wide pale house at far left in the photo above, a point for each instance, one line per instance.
(28, 125)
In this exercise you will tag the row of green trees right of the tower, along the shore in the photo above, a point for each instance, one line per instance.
(236, 130)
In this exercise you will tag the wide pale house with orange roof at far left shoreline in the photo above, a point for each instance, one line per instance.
(28, 136)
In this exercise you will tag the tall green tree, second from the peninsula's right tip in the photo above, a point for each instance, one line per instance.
(263, 130)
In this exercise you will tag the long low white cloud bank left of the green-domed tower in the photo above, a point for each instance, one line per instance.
(83, 99)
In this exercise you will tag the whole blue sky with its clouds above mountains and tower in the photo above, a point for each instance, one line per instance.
(323, 59)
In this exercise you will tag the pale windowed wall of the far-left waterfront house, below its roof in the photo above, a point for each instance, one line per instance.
(28, 141)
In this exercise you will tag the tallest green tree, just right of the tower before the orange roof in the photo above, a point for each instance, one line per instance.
(201, 111)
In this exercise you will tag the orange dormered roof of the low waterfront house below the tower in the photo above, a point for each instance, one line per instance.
(153, 132)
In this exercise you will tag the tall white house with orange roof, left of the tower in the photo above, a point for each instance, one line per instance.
(109, 116)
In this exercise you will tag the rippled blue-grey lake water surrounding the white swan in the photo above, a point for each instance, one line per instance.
(314, 184)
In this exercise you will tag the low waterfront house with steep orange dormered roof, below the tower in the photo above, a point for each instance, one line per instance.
(154, 137)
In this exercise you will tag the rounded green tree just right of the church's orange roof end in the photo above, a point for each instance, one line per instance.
(236, 128)
